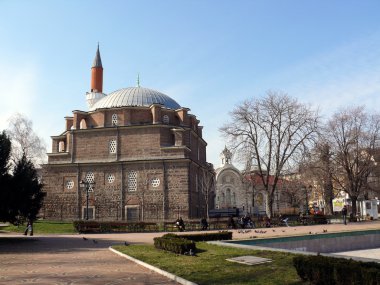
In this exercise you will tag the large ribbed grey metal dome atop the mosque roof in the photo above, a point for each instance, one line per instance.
(135, 96)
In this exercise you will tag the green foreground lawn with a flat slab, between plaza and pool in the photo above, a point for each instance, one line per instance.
(209, 266)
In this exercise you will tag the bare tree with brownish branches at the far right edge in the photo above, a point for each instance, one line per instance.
(353, 133)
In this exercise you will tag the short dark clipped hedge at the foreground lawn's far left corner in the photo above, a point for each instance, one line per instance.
(174, 243)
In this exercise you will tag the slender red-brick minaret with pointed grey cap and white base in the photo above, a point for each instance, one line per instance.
(96, 92)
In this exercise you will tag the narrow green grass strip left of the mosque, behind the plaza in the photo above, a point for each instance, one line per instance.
(45, 227)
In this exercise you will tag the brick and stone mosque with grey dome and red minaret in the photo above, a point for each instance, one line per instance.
(139, 155)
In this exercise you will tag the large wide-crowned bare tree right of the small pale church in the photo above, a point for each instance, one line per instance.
(274, 132)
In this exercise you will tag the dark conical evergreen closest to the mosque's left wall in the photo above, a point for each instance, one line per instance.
(27, 195)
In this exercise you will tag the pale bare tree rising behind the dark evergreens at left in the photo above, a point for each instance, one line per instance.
(25, 140)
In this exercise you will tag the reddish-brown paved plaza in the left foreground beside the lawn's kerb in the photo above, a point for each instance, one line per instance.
(68, 260)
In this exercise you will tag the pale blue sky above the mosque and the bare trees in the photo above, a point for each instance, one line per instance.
(207, 55)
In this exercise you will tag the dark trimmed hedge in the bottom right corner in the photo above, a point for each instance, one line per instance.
(323, 270)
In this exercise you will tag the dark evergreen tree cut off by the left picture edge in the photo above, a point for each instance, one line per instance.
(5, 177)
